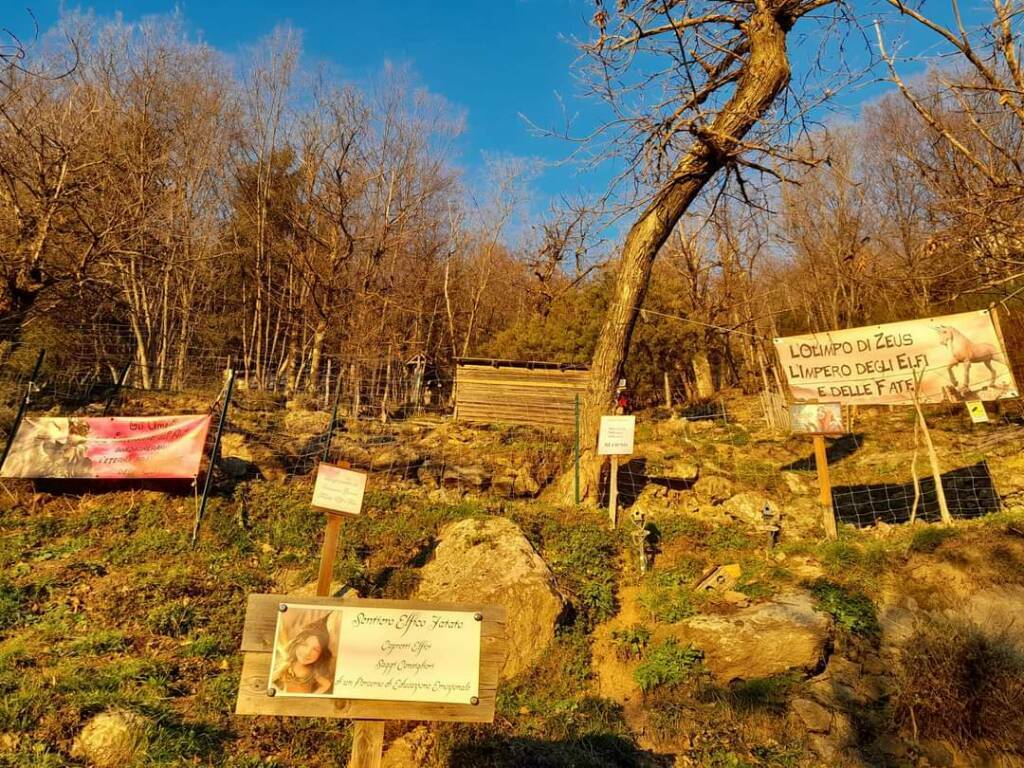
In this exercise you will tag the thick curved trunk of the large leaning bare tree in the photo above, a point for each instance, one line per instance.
(765, 75)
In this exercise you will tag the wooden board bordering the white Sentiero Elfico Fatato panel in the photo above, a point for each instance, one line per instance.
(258, 648)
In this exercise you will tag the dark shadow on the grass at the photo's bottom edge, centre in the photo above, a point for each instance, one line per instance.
(595, 751)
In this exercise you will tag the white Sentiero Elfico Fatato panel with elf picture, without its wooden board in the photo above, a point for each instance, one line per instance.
(392, 655)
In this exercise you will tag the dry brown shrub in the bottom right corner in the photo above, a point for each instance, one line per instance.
(957, 682)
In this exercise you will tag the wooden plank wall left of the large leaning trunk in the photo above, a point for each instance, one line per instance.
(518, 396)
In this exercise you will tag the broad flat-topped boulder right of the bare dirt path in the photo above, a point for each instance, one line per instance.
(766, 639)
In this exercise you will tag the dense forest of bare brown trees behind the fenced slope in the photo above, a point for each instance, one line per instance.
(163, 204)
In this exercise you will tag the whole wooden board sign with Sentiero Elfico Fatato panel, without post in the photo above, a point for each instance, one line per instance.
(386, 660)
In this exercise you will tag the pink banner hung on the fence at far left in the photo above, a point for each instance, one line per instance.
(147, 447)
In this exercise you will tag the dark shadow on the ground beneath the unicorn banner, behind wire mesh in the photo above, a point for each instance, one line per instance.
(970, 493)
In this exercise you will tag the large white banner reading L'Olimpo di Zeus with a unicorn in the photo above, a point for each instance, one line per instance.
(952, 359)
